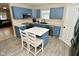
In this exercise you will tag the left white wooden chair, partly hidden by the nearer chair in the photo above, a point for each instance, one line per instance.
(24, 40)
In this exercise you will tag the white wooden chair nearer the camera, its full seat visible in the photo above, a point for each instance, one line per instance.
(35, 43)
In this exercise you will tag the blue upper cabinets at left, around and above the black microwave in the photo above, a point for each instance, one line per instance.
(18, 12)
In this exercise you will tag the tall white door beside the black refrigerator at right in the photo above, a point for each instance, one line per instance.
(69, 23)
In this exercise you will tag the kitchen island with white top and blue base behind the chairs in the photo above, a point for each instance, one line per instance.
(40, 32)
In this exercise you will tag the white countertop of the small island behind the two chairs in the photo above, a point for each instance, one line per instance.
(37, 30)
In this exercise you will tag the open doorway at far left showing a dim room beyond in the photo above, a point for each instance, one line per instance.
(5, 22)
